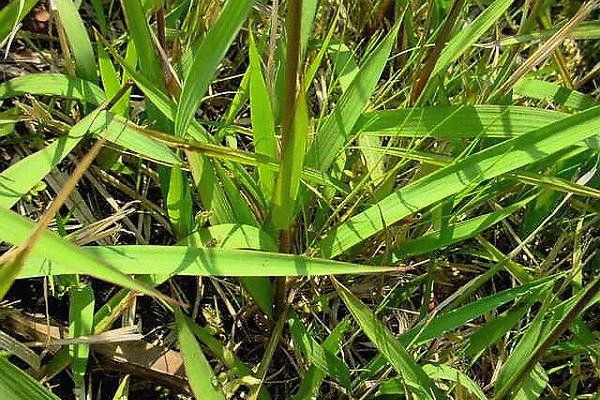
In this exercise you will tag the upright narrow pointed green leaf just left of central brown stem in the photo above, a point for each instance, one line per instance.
(263, 124)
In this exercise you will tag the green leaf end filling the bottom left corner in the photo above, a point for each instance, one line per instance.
(16, 384)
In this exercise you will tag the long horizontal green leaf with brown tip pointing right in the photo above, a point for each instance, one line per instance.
(180, 260)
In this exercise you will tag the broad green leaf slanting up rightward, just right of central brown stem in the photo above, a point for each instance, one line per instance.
(337, 127)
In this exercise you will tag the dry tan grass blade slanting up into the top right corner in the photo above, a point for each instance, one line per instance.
(548, 47)
